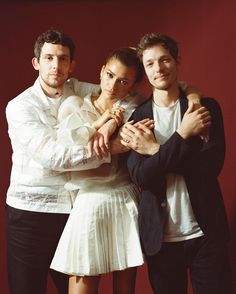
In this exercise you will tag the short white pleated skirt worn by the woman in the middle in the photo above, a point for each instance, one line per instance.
(101, 234)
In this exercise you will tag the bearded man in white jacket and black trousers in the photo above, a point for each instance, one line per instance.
(37, 203)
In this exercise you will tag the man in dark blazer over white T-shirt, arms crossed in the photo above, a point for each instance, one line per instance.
(183, 224)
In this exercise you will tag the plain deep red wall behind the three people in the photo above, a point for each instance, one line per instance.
(205, 31)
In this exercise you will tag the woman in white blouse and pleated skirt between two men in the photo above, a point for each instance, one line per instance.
(101, 234)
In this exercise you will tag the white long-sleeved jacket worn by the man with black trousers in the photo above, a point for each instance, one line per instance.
(40, 166)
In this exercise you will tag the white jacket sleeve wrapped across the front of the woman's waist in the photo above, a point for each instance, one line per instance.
(30, 135)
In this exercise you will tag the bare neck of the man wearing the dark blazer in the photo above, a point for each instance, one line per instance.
(166, 98)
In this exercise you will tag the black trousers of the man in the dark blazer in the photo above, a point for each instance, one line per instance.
(206, 260)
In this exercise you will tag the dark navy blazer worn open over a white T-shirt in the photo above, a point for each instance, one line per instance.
(198, 162)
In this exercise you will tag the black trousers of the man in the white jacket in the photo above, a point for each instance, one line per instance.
(32, 238)
